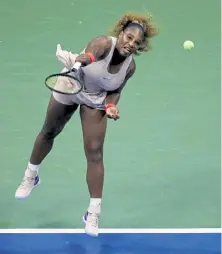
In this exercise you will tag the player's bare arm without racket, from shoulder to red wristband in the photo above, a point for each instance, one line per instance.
(113, 97)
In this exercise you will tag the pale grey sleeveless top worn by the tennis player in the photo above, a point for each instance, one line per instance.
(97, 80)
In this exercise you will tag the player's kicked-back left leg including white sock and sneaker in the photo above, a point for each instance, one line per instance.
(57, 116)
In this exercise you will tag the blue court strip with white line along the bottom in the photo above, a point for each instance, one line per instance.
(138, 241)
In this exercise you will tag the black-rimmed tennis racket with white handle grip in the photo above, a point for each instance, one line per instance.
(69, 82)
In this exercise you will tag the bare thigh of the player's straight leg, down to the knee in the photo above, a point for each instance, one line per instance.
(94, 124)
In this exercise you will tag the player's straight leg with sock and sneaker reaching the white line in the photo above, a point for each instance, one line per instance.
(94, 124)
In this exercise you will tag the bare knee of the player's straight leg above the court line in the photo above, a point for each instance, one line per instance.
(94, 151)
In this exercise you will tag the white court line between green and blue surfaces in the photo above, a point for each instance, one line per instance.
(114, 230)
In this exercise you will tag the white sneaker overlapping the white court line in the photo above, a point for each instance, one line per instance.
(91, 221)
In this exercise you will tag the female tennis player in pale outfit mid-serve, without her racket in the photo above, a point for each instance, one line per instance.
(107, 65)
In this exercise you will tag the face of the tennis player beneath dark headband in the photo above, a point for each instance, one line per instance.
(129, 41)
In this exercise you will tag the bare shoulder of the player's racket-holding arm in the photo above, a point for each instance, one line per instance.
(99, 46)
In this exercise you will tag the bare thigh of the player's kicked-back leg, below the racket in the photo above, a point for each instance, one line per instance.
(57, 115)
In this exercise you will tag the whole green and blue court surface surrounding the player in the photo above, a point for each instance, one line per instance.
(162, 157)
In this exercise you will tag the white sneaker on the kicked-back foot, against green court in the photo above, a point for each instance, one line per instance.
(29, 182)
